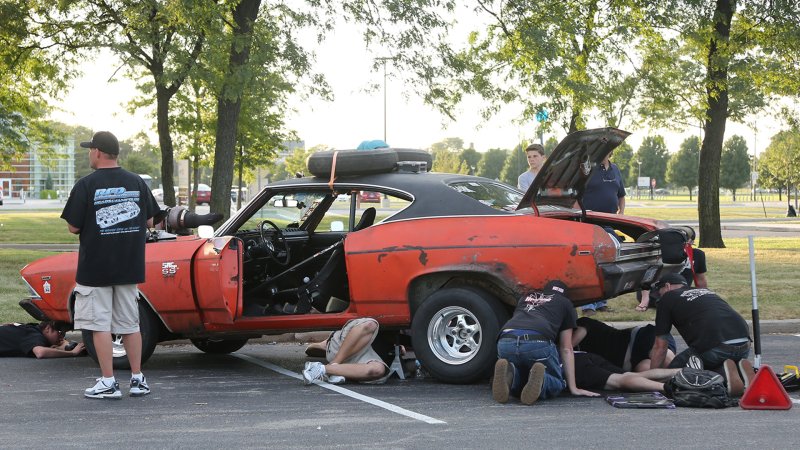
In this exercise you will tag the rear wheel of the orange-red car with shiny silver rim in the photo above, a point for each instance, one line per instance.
(469, 312)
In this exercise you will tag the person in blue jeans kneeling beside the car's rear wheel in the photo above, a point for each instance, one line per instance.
(529, 364)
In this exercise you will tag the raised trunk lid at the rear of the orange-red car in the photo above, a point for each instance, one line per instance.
(562, 179)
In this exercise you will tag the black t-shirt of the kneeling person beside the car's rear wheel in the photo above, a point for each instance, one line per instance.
(546, 314)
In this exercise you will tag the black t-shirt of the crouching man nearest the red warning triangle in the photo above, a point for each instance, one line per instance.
(703, 318)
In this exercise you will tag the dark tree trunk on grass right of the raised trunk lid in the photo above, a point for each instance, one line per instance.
(714, 126)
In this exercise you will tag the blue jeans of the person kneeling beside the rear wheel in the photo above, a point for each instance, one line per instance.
(523, 354)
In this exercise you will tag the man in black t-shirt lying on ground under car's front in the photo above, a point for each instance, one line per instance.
(41, 341)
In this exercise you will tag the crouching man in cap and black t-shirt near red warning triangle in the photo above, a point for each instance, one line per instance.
(712, 329)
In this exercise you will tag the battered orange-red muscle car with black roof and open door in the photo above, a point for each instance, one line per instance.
(448, 262)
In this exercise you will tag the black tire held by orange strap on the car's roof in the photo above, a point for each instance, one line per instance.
(353, 162)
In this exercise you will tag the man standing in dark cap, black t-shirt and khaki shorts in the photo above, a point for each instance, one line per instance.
(110, 209)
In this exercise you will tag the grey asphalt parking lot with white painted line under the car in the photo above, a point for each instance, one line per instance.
(254, 398)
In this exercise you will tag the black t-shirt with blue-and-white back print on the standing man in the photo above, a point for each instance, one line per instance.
(111, 207)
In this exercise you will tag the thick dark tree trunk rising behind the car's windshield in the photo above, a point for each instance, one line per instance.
(230, 104)
